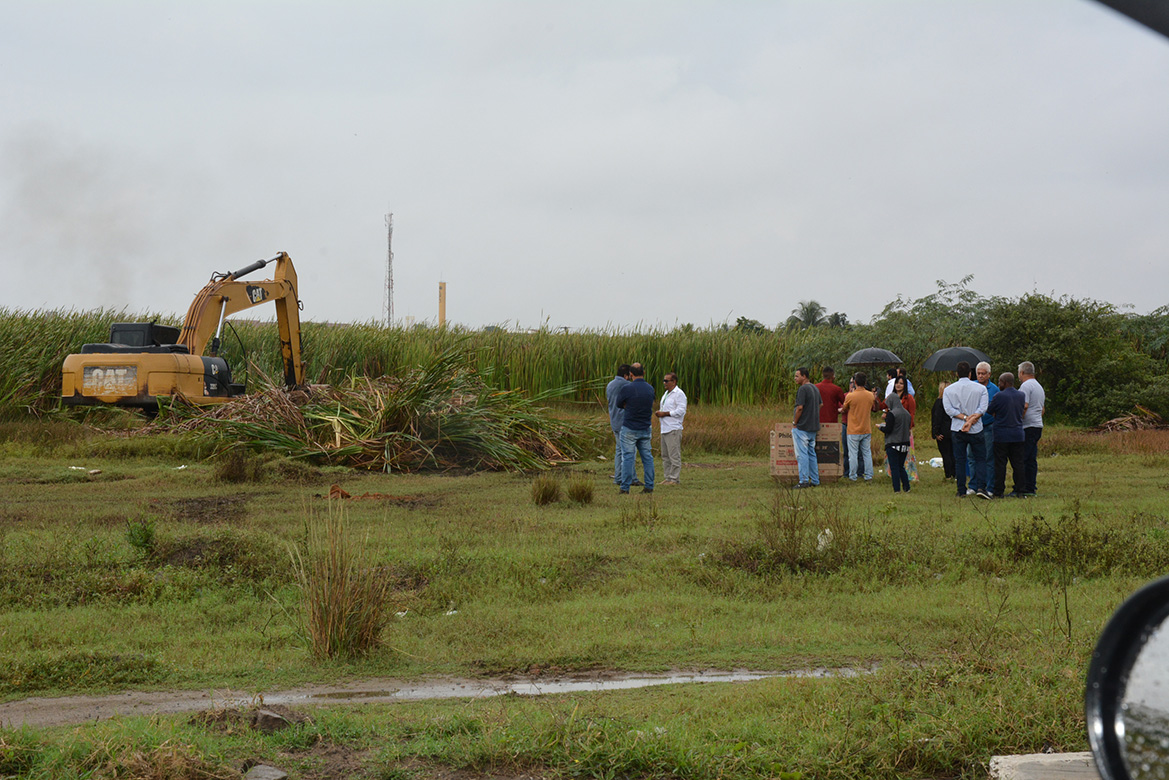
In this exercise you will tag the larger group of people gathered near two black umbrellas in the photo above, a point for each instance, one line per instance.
(980, 427)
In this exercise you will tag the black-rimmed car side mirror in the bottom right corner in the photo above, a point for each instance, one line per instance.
(1128, 694)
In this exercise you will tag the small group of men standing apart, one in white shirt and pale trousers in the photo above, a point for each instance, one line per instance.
(632, 415)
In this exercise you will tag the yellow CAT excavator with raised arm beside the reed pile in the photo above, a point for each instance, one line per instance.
(147, 362)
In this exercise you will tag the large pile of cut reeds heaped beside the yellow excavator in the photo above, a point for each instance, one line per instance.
(441, 416)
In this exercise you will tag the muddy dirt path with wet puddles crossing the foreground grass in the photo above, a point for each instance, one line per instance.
(67, 710)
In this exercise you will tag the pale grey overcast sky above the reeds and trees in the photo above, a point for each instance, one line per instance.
(600, 164)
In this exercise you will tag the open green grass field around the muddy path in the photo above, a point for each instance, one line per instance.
(980, 617)
